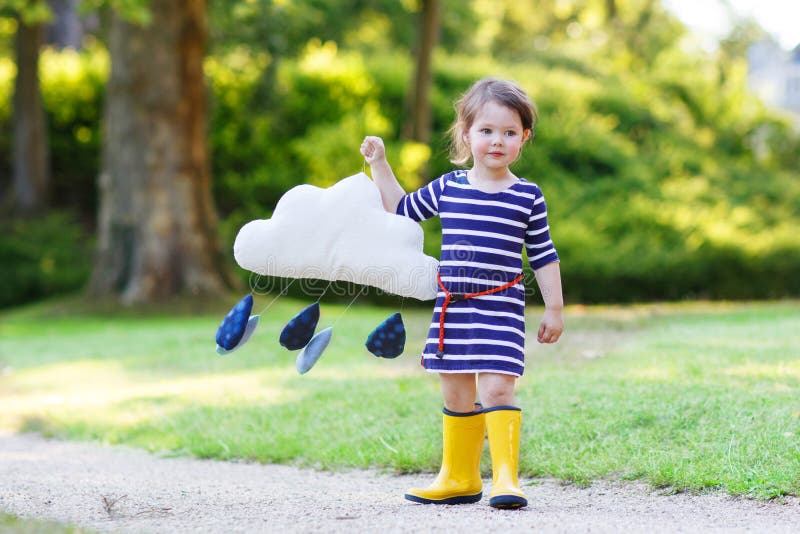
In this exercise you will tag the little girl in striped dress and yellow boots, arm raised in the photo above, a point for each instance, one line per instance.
(478, 327)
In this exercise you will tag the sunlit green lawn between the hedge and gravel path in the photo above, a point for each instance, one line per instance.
(689, 397)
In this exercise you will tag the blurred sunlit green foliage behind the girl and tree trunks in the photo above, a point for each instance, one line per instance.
(665, 178)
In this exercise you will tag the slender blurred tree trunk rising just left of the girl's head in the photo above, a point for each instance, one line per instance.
(418, 127)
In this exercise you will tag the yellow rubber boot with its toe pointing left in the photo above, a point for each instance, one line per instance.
(459, 480)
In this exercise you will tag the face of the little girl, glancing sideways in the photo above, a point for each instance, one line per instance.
(496, 136)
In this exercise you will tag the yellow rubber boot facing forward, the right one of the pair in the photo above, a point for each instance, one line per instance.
(503, 424)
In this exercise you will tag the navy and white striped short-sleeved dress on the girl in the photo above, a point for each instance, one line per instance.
(482, 240)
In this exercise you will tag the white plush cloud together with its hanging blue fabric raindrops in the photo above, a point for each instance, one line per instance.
(341, 233)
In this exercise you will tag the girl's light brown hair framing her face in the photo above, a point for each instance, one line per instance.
(503, 92)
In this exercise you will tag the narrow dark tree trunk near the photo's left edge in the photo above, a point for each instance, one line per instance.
(30, 153)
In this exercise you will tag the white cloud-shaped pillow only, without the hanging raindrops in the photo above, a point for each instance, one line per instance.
(340, 233)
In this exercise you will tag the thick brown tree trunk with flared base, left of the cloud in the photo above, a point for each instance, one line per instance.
(157, 220)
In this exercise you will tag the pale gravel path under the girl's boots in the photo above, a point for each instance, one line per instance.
(126, 490)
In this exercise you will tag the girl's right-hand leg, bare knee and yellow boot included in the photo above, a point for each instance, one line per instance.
(503, 425)
